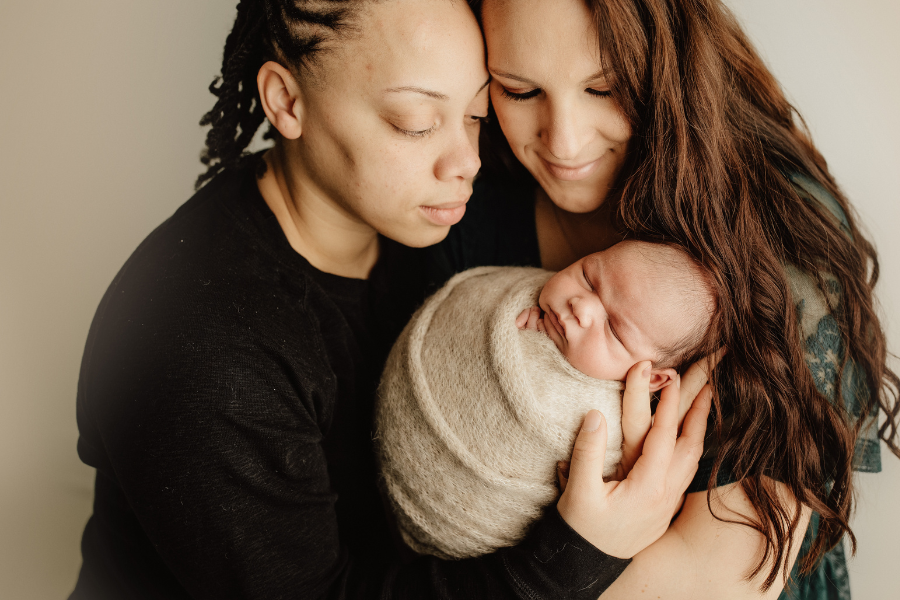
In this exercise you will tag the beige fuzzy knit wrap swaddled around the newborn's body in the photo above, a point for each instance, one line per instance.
(473, 415)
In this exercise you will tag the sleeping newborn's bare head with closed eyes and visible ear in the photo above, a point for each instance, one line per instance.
(634, 301)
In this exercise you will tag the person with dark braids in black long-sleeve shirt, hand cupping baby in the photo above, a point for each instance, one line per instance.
(226, 391)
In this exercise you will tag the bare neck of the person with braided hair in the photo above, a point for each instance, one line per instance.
(317, 228)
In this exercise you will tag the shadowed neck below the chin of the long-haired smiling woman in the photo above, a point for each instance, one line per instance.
(565, 237)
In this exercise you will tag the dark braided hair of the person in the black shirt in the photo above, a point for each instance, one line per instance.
(290, 32)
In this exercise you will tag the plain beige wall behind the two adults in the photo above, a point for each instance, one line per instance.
(99, 143)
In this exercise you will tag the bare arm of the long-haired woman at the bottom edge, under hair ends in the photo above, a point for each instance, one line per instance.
(702, 557)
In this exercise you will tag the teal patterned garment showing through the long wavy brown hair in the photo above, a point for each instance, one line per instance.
(824, 354)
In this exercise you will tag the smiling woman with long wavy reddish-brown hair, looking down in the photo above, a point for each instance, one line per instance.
(656, 119)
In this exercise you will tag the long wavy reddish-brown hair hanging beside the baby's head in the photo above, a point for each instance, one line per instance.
(713, 148)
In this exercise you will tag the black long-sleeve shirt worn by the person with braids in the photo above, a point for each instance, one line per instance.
(225, 399)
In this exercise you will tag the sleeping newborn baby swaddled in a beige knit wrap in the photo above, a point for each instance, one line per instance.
(483, 393)
